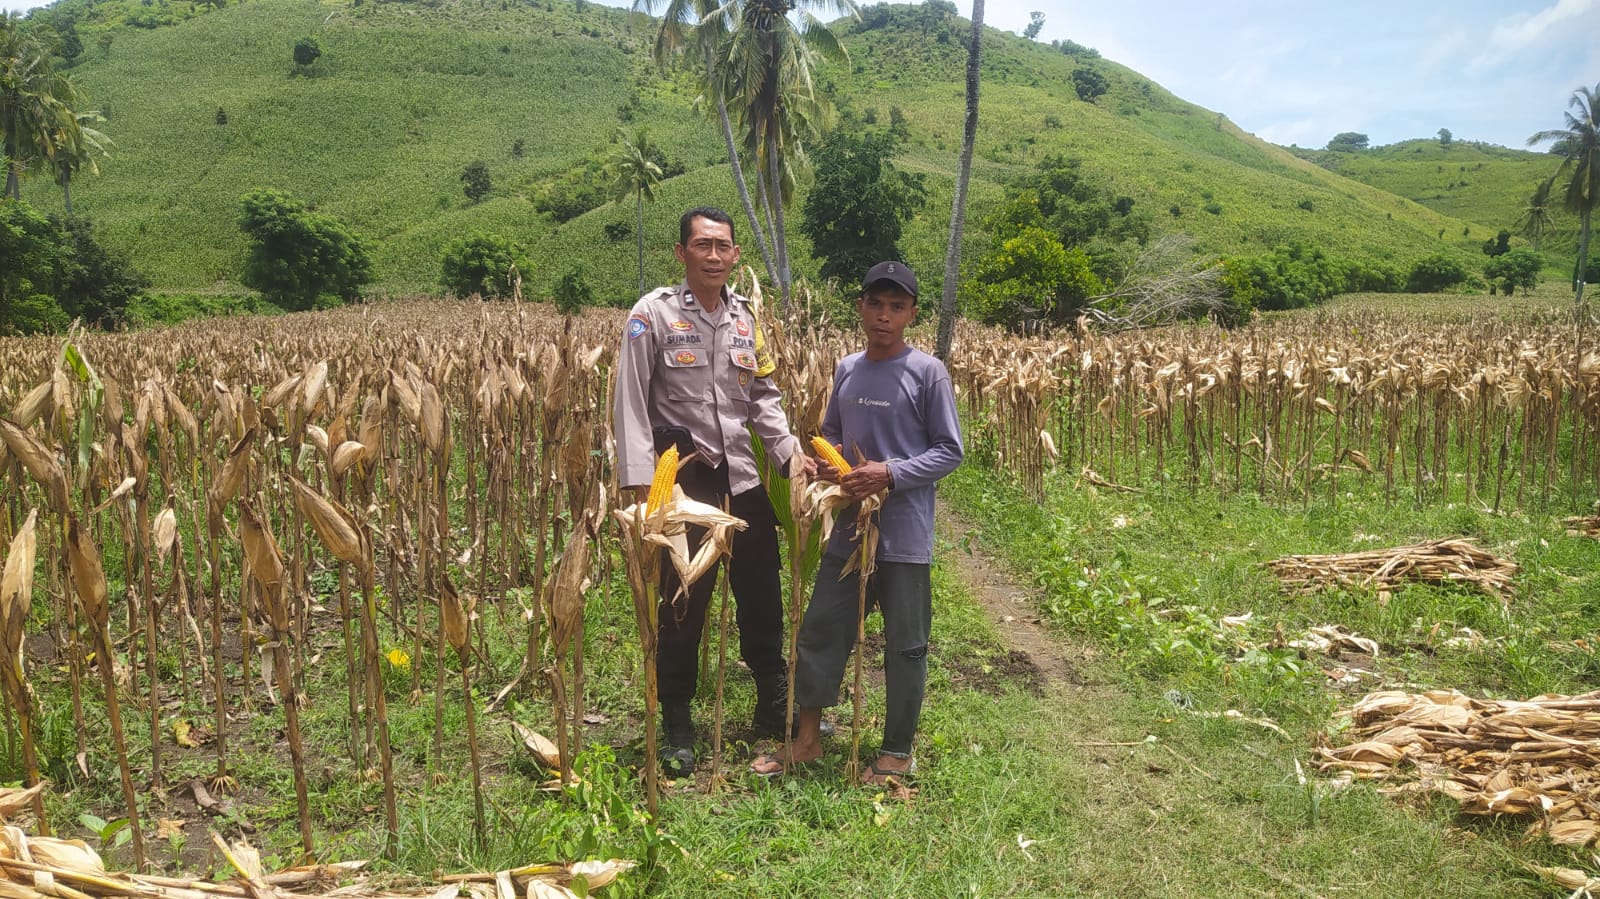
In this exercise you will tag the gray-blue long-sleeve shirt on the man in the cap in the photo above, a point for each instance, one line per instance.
(900, 412)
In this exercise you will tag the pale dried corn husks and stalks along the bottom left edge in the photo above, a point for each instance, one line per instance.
(39, 868)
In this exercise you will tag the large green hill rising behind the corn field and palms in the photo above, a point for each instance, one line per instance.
(407, 94)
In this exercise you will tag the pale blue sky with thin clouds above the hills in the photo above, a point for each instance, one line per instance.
(1300, 73)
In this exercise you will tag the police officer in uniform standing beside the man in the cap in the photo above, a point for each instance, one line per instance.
(689, 375)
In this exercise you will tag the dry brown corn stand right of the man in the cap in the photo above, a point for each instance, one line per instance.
(1484, 412)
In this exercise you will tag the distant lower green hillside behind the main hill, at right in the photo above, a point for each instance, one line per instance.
(1476, 183)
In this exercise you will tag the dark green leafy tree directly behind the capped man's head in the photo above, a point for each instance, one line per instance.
(860, 202)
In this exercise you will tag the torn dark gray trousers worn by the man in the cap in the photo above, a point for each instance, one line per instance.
(905, 594)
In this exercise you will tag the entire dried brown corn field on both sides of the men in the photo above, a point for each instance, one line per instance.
(177, 493)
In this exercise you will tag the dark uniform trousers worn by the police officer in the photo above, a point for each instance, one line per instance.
(753, 573)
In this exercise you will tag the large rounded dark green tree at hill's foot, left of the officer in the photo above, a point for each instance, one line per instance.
(298, 257)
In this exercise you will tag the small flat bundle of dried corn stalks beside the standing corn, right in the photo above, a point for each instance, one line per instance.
(1433, 562)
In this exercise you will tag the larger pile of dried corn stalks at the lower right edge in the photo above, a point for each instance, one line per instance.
(1535, 757)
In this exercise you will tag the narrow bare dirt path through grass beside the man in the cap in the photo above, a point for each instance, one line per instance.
(1010, 605)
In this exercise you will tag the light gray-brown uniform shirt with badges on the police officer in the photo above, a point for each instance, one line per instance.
(684, 367)
